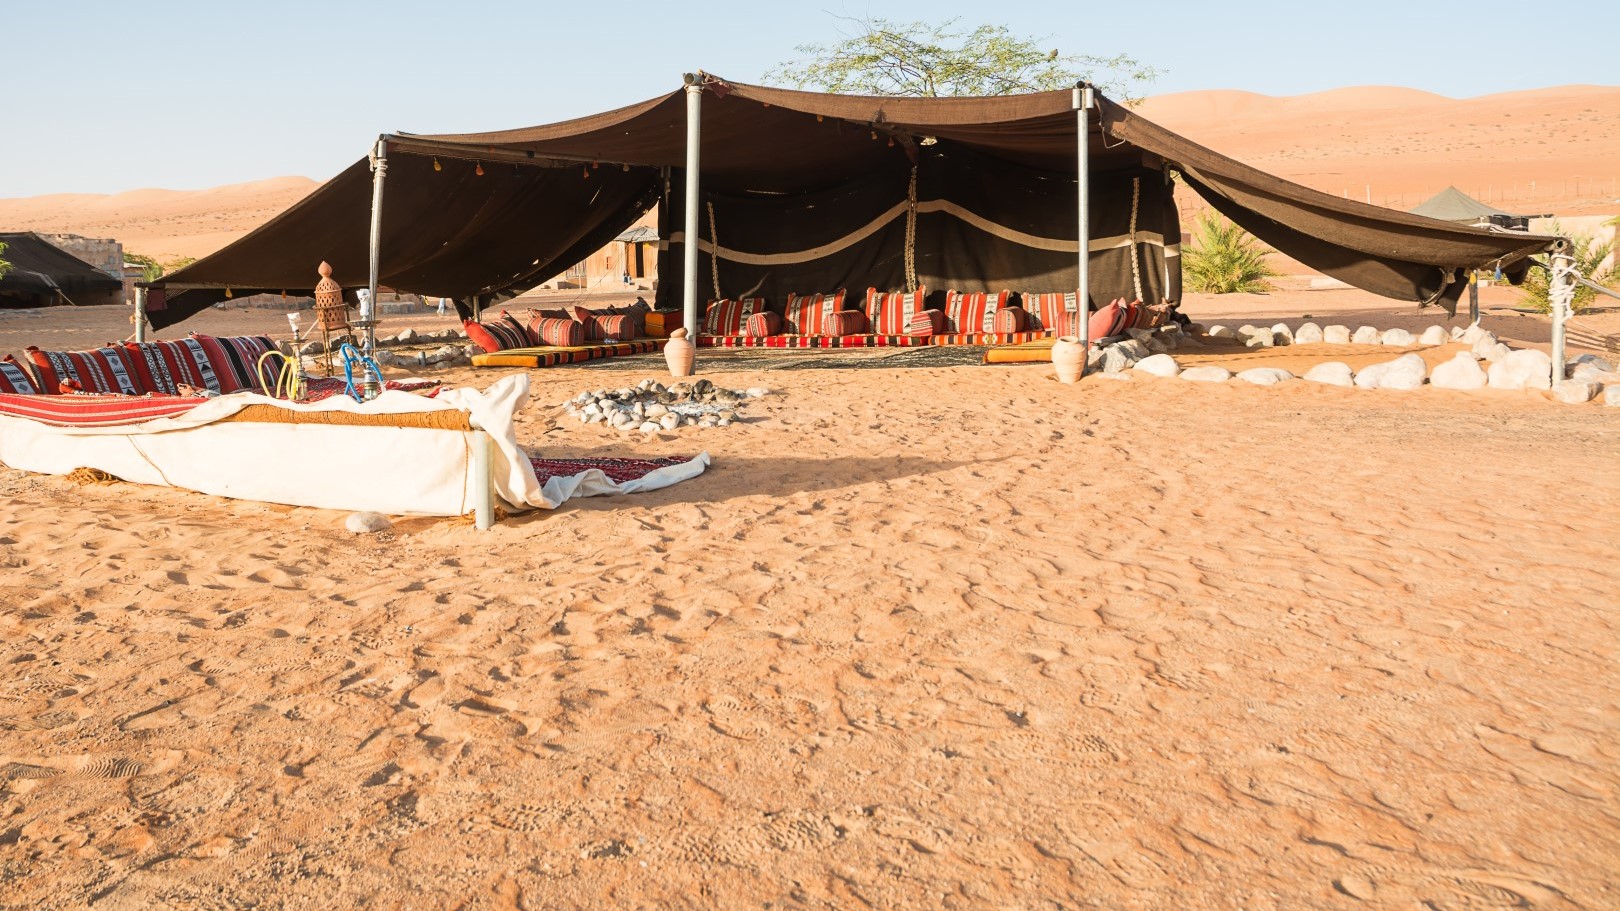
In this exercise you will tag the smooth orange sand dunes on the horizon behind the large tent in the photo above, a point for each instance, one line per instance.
(1533, 152)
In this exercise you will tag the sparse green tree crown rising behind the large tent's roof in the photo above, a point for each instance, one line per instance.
(882, 58)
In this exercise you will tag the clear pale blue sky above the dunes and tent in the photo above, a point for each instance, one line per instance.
(108, 96)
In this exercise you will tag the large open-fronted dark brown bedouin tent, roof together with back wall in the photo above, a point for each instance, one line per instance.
(806, 192)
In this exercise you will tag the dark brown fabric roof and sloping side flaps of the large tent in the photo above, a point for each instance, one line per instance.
(450, 236)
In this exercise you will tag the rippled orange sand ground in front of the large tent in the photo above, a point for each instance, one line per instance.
(939, 638)
